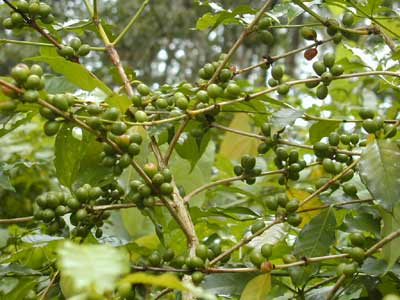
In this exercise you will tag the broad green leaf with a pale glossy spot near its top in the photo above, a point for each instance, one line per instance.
(78, 161)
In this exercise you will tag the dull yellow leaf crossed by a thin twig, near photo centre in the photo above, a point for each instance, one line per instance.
(234, 145)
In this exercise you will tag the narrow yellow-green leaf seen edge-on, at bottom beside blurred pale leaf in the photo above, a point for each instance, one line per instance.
(165, 280)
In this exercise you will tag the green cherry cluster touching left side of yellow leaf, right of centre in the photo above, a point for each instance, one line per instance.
(283, 206)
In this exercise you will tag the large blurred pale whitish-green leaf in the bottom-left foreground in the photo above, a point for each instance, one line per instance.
(92, 267)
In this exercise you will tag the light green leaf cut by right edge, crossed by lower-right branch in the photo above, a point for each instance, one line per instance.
(391, 222)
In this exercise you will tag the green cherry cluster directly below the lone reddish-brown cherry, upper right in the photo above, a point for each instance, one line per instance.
(326, 70)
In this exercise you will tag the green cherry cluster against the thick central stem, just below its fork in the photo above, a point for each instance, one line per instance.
(145, 195)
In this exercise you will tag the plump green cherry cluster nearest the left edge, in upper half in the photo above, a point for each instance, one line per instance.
(28, 79)
